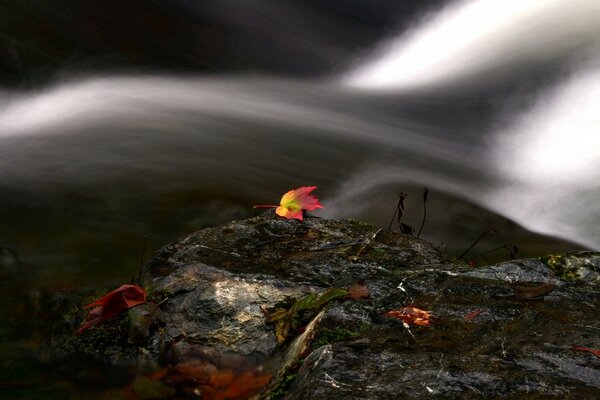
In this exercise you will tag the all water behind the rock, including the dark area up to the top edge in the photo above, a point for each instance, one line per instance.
(134, 131)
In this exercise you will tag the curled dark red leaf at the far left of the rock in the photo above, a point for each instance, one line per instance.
(112, 304)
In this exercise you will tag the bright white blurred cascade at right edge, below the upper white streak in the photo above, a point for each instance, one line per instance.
(550, 161)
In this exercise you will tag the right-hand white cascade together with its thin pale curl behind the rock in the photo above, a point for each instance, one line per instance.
(542, 169)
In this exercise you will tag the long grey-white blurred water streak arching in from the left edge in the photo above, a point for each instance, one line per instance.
(232, 130)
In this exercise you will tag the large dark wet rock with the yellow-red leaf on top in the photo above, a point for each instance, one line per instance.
(500, 331)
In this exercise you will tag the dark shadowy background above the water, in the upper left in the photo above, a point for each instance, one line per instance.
(42, 40)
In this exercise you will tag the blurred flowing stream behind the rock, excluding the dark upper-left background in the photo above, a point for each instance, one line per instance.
(94, 168)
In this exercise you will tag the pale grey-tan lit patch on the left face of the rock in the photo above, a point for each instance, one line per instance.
(222, 310)
